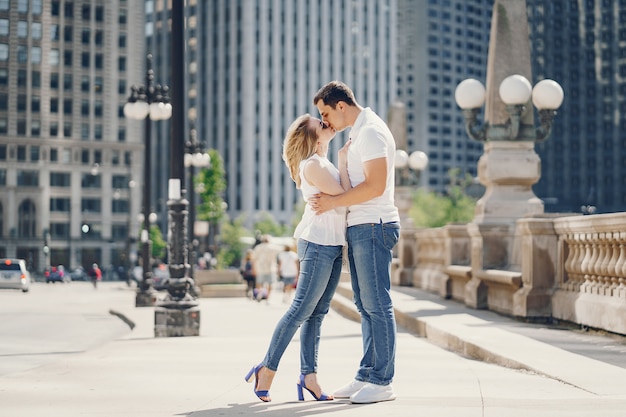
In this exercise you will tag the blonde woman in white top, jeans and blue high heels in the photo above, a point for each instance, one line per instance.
(320, 241)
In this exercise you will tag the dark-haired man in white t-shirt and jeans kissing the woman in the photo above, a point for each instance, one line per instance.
(373, 229)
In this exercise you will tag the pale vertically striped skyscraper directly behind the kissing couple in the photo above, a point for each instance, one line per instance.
(255, 65)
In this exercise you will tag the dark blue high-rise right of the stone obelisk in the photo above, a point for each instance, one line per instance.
(582, 45)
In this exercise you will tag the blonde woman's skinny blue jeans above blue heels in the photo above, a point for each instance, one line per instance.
(320, 270)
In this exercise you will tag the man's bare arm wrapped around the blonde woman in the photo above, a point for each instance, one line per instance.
(373, 186)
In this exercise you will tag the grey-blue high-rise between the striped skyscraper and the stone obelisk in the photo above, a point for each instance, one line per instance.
(440, 43)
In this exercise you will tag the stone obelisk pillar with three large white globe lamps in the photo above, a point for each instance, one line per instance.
(509, 165)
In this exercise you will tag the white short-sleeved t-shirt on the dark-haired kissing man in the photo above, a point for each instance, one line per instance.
(372, 139)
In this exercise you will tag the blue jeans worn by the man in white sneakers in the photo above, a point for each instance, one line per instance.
(369, 253)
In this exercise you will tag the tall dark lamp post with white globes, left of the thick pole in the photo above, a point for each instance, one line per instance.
(148, 102)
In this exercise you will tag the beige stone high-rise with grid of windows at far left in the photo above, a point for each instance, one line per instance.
(68, 157)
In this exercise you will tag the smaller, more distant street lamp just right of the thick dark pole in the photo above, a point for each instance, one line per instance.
(194, 158)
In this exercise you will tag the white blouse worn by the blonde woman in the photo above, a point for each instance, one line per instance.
(328, 228)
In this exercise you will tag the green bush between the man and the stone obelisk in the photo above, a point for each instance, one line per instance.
(431, 209)
